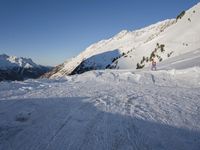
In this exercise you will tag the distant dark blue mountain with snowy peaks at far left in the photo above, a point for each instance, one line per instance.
(14, 68)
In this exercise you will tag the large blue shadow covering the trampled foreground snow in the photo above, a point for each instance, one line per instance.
(74, 123)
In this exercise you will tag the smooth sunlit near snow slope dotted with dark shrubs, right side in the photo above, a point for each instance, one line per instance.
(180, 38)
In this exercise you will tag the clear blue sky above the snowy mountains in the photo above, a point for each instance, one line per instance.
(51, 31)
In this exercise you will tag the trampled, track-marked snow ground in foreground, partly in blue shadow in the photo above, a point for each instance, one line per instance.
(103, 110)
